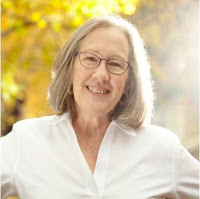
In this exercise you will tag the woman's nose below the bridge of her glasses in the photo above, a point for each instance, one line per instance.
(101, 73)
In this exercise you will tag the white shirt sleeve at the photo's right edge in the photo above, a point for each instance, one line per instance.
(186, 174)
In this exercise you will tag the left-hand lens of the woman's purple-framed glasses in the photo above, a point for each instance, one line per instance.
(89, 60)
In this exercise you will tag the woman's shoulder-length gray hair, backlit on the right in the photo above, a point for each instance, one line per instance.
(139, 102)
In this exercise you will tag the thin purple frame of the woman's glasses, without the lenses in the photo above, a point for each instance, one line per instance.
(79, 54)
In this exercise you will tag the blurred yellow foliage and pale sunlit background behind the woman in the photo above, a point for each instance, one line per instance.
(34, 31)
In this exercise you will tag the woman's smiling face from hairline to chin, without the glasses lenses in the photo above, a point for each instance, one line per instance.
(97, 91)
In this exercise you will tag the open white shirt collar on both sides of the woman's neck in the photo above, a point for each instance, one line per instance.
(126, 129)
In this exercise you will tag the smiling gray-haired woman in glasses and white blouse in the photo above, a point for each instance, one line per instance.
(100, 145)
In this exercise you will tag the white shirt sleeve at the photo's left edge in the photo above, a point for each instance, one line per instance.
(9, 157)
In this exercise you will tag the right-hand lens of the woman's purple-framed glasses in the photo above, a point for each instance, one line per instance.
(117, 66)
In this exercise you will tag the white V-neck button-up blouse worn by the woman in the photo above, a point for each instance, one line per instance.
(41, 159)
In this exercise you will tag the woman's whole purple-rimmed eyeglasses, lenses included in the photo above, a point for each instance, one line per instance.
(90, 60)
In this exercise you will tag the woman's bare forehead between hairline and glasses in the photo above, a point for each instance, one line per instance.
(107, 41)
